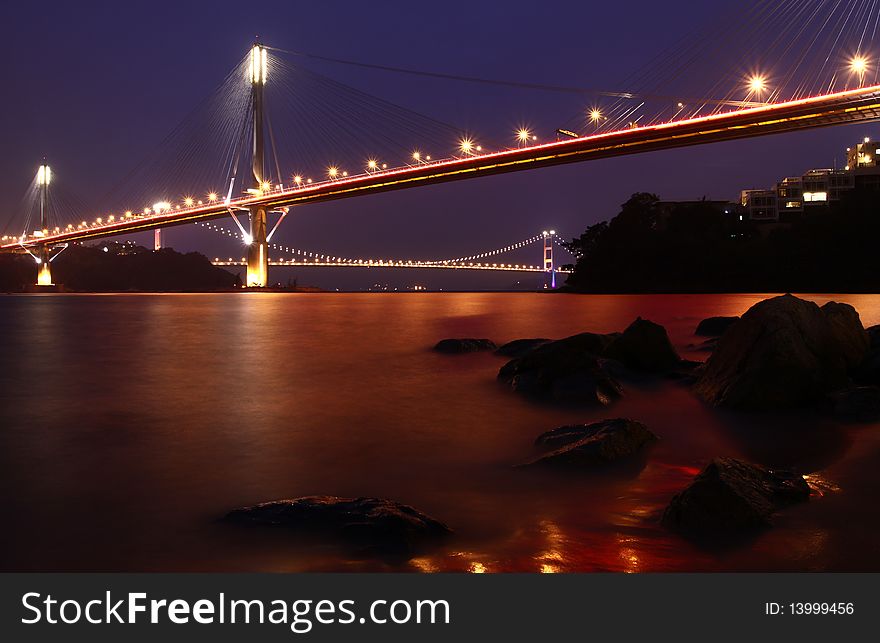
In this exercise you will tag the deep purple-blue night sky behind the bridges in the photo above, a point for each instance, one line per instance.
(94, 86)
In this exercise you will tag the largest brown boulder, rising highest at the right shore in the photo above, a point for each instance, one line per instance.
(784, 352)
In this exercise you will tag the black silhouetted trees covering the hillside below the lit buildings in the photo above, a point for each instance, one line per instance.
(652, 246)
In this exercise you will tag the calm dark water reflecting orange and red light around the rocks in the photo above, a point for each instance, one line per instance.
(130, 423)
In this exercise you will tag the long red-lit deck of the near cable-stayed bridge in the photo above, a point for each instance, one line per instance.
(851, 106)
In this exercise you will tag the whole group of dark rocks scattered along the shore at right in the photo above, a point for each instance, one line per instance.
(784, 354)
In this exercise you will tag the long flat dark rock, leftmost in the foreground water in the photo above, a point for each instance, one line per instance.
(373, 523)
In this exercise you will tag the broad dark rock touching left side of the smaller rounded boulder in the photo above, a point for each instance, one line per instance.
(566, 370)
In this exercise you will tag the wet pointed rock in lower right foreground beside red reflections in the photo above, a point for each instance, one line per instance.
(733, 496)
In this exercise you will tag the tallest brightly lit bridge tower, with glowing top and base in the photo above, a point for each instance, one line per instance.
(258, 251)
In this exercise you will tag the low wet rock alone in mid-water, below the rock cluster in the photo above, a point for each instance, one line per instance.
(590, 445)
